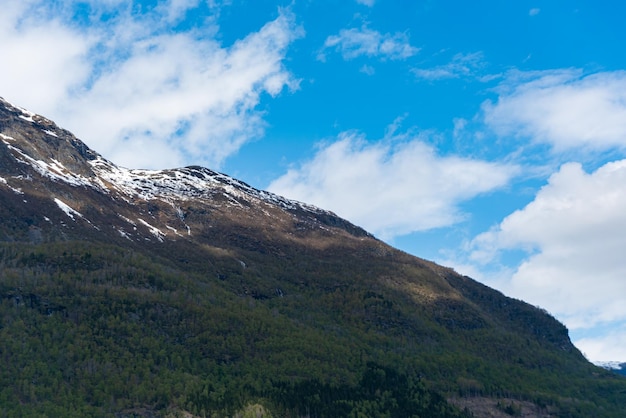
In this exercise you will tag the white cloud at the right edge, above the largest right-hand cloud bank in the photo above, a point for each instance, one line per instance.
(563, 108)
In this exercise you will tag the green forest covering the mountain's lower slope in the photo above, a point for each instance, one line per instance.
(96, 330)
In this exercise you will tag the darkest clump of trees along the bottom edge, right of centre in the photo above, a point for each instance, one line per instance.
(381, 392)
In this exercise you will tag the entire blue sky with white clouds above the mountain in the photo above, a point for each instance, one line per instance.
(488, 136)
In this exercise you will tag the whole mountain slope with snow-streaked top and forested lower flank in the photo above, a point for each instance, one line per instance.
(186, 292)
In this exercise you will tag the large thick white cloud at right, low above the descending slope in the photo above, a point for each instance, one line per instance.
(575, 232)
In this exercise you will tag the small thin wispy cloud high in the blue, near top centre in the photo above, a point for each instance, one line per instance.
(352, 43)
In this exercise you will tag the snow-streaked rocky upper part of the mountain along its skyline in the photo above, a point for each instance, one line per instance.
(32, 147)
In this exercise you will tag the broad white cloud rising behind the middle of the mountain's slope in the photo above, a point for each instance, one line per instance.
(391, 187)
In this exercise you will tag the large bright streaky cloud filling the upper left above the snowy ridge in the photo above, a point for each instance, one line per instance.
(137, 91)
